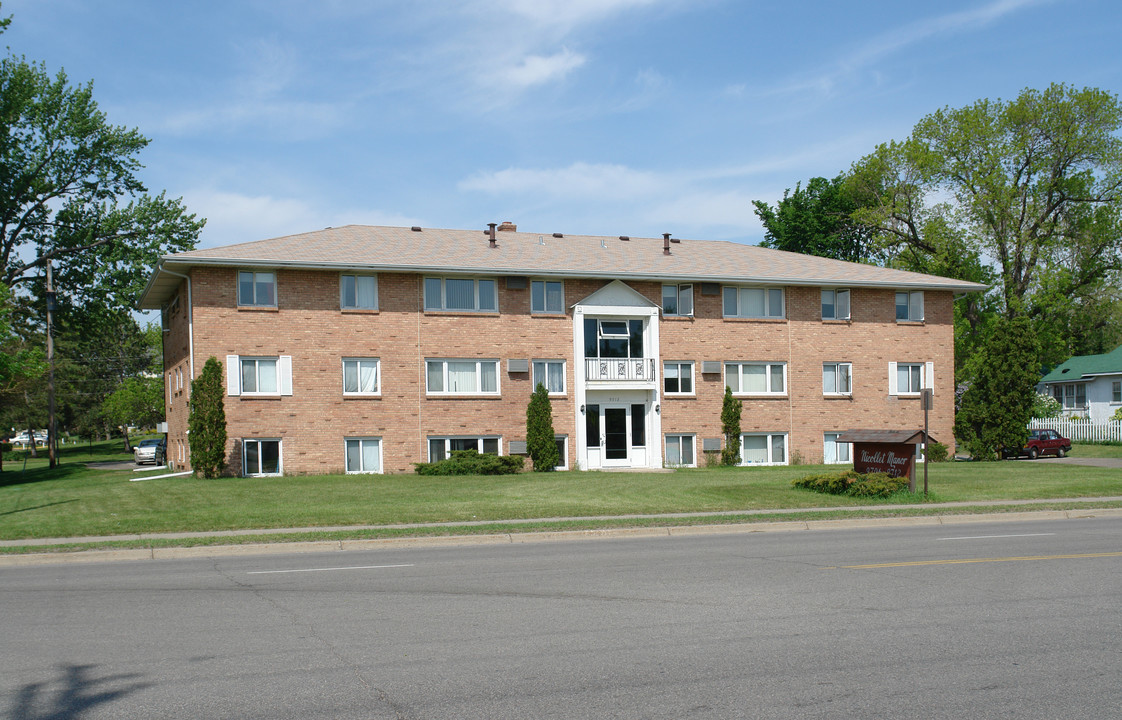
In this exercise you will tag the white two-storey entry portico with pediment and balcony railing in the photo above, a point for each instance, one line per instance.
(617, 346)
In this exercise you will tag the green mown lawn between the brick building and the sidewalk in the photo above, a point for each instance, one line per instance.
(73, 501)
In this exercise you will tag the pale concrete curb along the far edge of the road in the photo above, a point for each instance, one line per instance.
(550, 537)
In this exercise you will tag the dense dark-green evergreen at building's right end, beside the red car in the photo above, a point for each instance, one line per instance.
(998, 404)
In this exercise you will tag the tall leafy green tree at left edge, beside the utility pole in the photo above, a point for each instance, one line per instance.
(70, 195)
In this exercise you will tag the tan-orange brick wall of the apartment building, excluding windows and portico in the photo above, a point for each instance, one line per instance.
(309, 326)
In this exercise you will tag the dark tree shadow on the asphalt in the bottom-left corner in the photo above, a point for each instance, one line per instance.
(72, 695)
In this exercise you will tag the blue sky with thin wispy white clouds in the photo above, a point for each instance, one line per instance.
(584, 117)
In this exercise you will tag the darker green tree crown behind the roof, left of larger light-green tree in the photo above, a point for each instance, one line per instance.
(818, 220)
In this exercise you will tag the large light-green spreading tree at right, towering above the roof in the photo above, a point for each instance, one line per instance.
(1035, 184)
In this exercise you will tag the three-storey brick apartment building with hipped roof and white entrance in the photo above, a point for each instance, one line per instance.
(369, 349)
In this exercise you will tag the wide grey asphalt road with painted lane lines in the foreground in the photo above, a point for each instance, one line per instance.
(1003, 621)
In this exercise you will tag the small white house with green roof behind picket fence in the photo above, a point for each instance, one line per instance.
(1088, 386)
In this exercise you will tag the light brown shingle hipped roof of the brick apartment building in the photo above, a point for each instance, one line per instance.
(376, 248)
